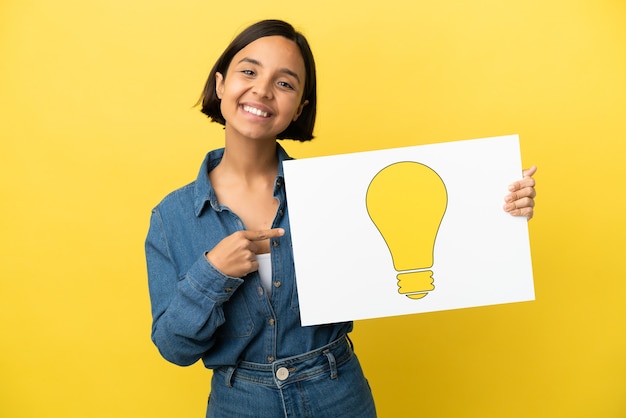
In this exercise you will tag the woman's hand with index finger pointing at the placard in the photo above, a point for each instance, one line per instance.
(235, 255)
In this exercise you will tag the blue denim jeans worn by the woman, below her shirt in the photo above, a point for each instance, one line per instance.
(327, 382)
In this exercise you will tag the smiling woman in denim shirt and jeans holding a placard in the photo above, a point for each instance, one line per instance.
(220, 266)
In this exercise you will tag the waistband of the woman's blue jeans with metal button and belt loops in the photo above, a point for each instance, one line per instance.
(287, 370)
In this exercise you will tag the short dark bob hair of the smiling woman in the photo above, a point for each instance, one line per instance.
(302, 128)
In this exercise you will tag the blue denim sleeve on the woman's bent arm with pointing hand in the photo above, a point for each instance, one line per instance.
(187, 309)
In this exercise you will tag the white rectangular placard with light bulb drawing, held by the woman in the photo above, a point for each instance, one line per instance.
(351, 266)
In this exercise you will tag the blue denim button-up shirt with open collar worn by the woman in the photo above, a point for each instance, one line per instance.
(198, 312)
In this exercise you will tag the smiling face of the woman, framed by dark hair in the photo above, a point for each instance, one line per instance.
(261, 93)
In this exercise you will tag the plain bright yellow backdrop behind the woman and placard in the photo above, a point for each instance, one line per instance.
(97, 124)
